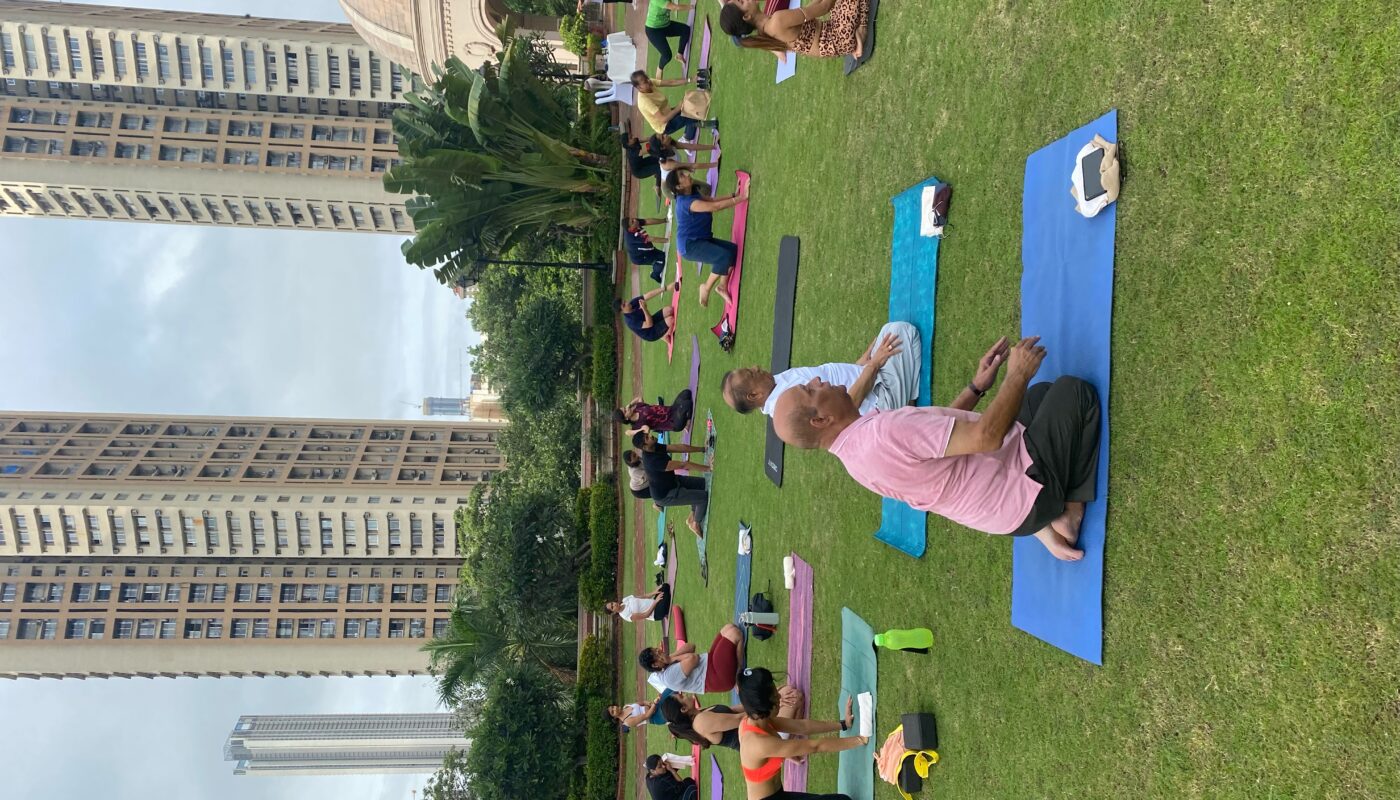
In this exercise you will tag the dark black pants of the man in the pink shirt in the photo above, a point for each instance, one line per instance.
(1063, 442)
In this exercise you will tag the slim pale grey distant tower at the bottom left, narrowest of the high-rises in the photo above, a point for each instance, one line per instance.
(342, 745)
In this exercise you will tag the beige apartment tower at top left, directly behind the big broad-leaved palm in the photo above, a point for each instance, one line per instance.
(125, 114)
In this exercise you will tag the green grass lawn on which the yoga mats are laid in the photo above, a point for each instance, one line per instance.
(1252, 602)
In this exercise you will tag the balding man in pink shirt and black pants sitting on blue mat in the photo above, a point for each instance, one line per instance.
(1025, 467)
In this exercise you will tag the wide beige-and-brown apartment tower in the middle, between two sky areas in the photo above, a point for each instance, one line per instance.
(145, 546)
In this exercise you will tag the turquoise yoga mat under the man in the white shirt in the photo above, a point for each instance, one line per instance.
(913, 277)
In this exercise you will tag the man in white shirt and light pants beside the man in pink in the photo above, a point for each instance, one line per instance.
(884, 378)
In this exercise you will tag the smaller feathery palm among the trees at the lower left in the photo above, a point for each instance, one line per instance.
(481, 642)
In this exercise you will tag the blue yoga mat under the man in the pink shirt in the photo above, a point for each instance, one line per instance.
(1067, 301)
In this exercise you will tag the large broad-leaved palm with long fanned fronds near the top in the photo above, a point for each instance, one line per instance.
(486, 156)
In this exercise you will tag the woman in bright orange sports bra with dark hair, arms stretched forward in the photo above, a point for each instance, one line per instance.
(762, 749)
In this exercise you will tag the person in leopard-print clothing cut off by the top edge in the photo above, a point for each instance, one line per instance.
(800, 30)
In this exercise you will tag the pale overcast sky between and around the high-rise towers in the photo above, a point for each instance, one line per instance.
(128, 317)
